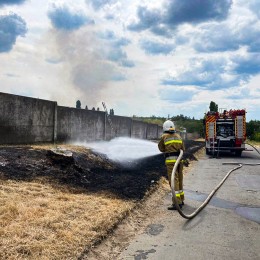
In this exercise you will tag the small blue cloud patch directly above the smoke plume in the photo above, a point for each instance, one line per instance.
(63, 18)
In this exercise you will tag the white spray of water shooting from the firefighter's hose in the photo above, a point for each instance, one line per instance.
(125, 150)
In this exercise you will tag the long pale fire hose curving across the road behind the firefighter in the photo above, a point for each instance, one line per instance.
(203, 205)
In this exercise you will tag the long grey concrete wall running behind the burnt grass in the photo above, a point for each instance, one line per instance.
(30, 120)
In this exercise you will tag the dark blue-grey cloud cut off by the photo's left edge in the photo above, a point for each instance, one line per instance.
(11, 26)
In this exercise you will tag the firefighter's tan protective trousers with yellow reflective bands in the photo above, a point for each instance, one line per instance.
(178, 181)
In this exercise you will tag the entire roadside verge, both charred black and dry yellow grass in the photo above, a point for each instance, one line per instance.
(61, 206)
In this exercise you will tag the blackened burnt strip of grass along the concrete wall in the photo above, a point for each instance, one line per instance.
(87, 171)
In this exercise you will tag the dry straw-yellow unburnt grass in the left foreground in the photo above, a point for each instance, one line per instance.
(38, 221)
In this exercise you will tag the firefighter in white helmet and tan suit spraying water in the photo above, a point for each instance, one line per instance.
(170, 144)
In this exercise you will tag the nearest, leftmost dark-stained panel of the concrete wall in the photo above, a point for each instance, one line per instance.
(26, 120)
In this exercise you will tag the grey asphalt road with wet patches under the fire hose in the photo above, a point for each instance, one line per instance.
(228, 228)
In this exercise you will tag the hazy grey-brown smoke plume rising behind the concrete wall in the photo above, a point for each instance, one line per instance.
(82, 59)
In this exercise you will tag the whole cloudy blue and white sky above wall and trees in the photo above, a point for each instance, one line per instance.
(143, 58)
